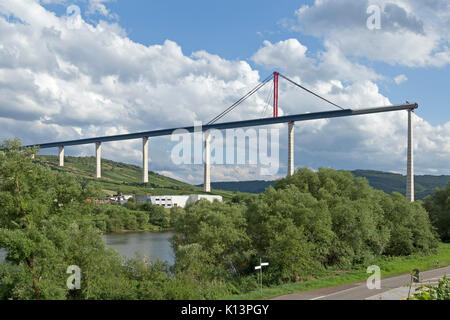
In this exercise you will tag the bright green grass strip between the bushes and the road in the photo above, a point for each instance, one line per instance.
(389, 267)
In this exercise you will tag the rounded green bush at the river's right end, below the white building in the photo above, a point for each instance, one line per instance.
(216, 232)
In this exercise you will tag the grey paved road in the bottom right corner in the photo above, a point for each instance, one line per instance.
(392, 288)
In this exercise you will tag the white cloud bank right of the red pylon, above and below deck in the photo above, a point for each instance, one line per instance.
(377, 141)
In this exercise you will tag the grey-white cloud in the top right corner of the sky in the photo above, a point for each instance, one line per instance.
(412, 33)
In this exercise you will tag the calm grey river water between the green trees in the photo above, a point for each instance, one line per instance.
(150, 244)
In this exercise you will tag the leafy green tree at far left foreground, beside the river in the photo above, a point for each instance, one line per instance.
(43, 236)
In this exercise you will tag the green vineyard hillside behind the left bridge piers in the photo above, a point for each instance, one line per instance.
(125, 178)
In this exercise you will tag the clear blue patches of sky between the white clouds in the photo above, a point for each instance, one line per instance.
(235, 30)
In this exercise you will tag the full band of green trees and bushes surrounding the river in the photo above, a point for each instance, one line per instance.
(306, 224)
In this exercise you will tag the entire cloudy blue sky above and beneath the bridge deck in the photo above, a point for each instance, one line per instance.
(78, 69)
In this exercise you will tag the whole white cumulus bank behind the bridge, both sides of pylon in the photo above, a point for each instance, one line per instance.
(58, 82)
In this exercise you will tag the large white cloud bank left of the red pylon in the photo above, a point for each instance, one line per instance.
(58, 82)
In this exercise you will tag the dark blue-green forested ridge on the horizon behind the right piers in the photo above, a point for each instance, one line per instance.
(388, 182)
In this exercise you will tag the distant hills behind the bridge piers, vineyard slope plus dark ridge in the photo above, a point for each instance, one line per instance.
(126, 178)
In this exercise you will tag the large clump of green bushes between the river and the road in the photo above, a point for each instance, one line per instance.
(305, 223)
